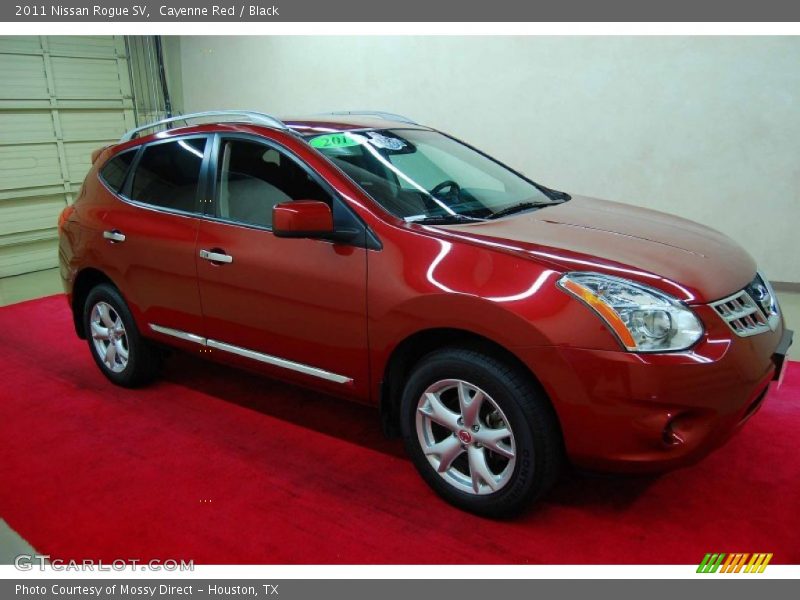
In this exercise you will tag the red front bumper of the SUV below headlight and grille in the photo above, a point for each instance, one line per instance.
(628, 412)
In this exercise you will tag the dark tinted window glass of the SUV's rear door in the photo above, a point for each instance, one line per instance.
(168, 174)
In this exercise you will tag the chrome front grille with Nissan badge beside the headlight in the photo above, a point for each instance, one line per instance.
(750, 311)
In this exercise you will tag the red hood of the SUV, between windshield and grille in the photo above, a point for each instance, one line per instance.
(690, 261)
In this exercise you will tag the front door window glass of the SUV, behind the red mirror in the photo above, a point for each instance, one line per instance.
(252, 178)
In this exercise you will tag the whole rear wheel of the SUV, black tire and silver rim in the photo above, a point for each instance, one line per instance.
(108, 323)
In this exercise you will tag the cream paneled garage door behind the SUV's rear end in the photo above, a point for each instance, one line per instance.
(60, 98)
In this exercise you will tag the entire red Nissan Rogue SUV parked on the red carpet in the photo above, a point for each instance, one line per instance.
(501, 326)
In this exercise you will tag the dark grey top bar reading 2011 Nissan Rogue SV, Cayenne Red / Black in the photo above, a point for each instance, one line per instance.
(167, 11)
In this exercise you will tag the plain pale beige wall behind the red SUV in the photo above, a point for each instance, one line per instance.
(707, 128)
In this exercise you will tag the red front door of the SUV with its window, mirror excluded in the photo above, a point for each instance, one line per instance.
(293, 307)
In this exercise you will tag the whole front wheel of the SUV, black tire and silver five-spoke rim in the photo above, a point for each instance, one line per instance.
(446, 440)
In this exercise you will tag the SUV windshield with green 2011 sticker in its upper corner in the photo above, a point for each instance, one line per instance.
(421, 175)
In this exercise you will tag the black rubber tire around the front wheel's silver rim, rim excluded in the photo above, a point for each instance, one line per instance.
(532, 438)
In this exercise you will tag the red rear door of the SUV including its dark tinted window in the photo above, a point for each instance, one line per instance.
(150, 234)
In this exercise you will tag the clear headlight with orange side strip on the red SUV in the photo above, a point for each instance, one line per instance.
(642, 318)
